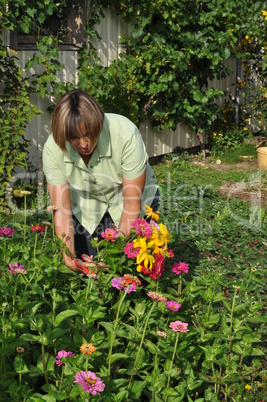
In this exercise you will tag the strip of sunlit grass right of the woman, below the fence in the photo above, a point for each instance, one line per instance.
(184, 169)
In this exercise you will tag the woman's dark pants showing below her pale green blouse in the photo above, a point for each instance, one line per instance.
(82, 237)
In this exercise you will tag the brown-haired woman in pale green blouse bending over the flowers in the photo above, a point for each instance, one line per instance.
(97, 173)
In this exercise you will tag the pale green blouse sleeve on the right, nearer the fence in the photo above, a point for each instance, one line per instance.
(134, 156)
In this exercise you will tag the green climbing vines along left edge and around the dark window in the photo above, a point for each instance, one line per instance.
(16, 108)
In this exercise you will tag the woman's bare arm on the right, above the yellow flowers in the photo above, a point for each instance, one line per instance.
(132, 190)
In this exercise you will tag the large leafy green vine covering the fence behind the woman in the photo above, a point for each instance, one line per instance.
(175, 49)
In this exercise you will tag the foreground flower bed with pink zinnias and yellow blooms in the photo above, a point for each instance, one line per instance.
(142, 325)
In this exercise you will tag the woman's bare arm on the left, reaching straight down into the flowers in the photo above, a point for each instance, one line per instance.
(60, 197)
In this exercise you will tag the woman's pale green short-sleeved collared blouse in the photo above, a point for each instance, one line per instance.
(96, 188)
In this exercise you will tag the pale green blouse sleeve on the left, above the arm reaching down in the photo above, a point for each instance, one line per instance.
(51, 163)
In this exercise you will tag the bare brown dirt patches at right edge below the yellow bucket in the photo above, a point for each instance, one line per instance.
(254, 191)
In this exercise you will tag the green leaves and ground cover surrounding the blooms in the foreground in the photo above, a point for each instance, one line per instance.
(222, 299)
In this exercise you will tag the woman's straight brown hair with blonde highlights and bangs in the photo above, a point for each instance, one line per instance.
(76, 114)
